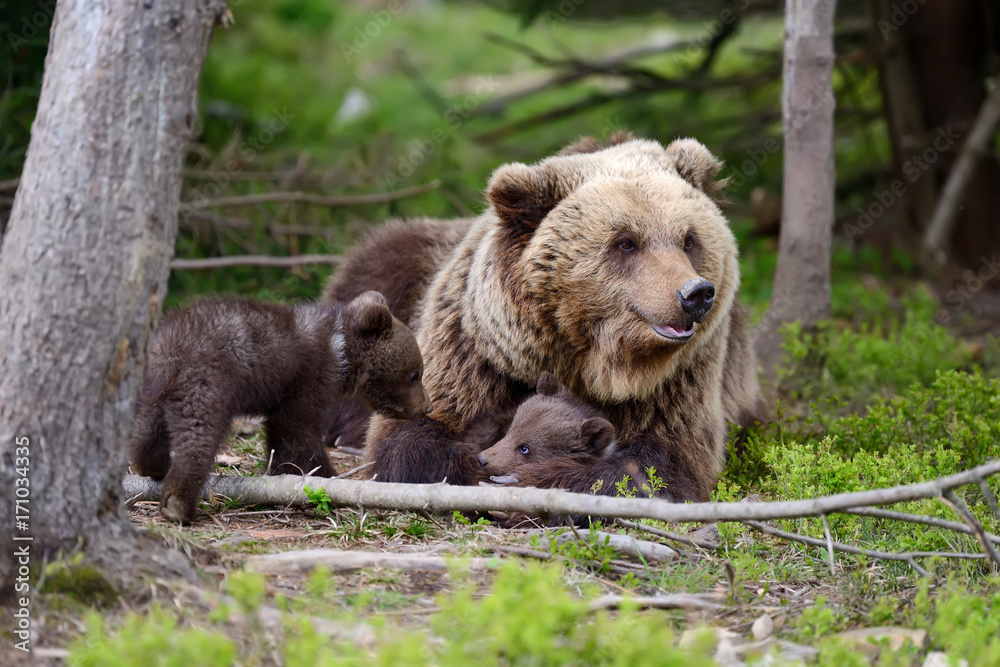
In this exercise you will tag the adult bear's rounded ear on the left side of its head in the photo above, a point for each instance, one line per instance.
(522, 196)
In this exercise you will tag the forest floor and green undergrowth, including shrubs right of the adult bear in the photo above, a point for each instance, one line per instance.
(918, 416)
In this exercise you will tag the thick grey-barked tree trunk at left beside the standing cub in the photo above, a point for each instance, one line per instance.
(84, 264)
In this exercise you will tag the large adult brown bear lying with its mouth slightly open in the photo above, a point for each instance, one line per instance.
(611, 266)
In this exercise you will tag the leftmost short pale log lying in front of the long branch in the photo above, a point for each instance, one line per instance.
(340, 561)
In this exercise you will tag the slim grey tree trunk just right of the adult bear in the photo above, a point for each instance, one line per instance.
(802, 280)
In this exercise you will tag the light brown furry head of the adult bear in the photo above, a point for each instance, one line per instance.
(620, 255)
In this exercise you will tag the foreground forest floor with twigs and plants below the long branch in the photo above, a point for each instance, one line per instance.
(497, 596)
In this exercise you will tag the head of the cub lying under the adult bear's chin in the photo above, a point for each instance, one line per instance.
(549, 425)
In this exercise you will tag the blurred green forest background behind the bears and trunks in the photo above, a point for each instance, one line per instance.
(369, 96)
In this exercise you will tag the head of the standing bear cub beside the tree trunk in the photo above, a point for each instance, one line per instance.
(383, 359)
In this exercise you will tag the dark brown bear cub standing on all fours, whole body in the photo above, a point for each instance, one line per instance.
(226, 357)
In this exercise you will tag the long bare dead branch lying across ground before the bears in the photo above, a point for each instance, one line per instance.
(287, 490)
